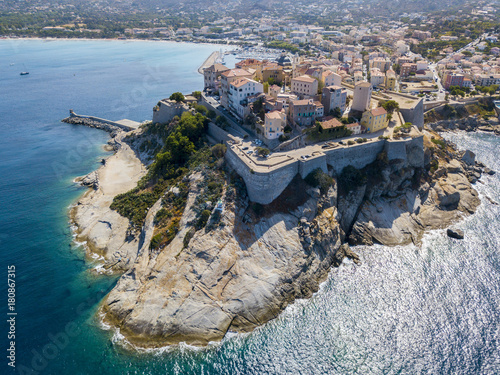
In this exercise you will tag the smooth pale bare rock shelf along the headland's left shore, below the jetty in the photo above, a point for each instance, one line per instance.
(104, 230)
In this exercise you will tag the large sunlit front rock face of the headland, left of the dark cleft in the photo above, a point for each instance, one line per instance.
(235, 277)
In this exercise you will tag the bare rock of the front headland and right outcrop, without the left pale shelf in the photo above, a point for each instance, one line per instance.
(246, 271)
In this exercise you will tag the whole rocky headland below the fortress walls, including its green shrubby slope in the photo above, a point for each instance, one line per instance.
(201, 259)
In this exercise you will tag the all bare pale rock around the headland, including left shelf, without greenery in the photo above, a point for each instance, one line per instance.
(248, 269)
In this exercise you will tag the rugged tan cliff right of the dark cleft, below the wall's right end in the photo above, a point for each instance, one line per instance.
(406, 201)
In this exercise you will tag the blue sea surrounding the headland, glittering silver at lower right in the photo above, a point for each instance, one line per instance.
(404, 310)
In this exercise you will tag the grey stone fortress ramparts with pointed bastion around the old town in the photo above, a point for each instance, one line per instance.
(265, 180)
